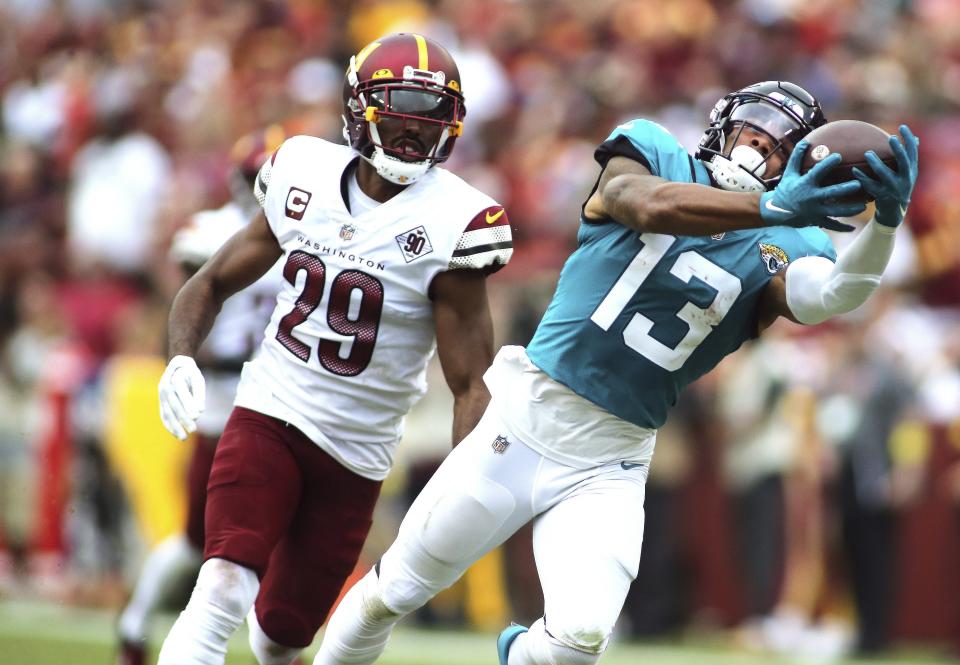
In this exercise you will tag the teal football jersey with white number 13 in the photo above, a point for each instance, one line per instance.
(637, 316)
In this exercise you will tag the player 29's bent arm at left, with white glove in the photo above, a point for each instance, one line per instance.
(236, 265)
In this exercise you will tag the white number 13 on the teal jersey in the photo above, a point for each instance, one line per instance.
(636, 334)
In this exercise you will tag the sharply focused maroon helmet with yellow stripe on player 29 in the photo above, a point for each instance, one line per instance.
(411, 80)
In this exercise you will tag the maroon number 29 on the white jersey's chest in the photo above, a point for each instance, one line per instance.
(360, 321)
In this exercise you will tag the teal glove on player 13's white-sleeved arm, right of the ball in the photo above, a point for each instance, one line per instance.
(892, 189)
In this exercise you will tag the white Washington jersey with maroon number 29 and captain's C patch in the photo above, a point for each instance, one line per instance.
(345, 354)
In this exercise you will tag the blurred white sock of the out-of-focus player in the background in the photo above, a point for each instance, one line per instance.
(167, 563)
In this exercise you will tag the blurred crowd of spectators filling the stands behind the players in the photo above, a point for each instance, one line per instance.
(805, 496)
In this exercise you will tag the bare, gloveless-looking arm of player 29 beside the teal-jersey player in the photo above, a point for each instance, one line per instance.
(464, 343)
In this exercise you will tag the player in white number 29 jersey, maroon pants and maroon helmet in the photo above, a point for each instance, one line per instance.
(385, 258)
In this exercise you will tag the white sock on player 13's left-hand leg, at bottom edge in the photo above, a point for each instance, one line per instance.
(358, 631)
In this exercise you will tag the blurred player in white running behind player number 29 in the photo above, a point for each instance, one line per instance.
(235, 335)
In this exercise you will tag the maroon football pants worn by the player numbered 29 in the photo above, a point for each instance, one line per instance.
(281, 506)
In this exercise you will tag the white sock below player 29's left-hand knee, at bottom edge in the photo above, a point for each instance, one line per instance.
(223, 595)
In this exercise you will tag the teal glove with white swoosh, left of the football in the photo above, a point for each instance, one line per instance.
(800, 200)
